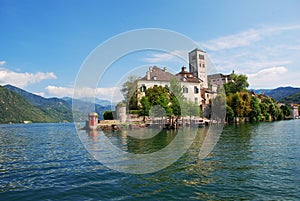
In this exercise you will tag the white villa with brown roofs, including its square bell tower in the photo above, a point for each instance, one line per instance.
(193, 83)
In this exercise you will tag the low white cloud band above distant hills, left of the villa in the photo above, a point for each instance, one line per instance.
(112, 93)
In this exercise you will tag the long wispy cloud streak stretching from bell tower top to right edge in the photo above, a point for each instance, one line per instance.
(245, 38)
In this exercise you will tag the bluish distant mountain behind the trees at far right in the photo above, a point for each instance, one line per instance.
(278, 93)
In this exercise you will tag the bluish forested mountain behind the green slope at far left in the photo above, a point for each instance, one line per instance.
(55, 108)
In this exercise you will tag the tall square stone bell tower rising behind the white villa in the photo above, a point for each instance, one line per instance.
(197, 65)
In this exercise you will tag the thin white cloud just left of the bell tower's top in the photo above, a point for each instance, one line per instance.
(166, 56)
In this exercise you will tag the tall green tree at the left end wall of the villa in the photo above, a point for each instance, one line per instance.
(129, 91)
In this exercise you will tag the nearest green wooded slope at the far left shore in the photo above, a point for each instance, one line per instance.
(16, 109)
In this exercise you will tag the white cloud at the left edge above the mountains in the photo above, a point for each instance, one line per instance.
(23, 79)
